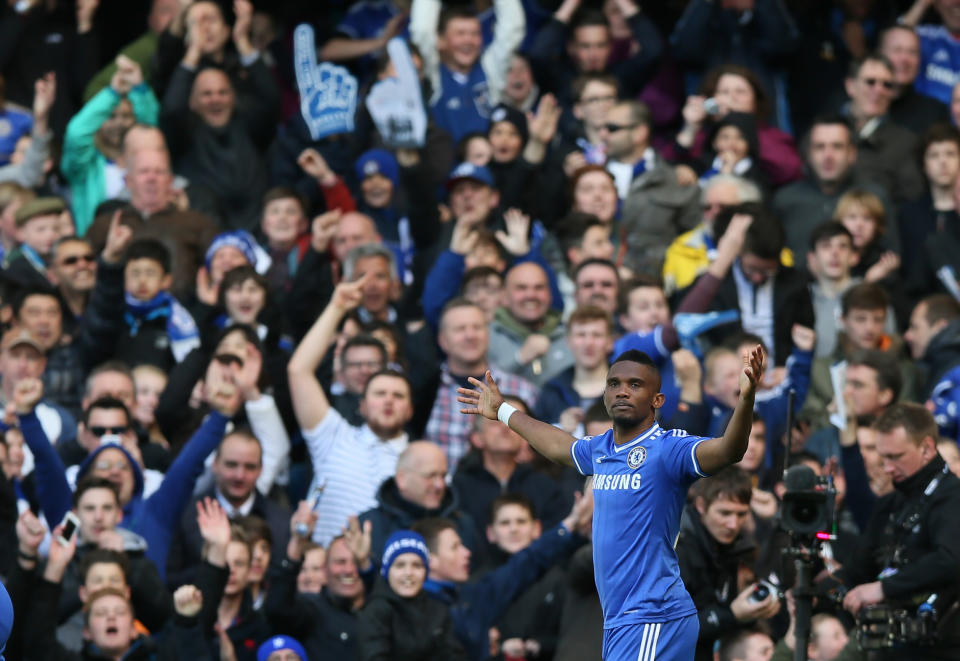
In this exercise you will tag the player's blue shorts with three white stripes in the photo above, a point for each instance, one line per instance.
(675, 640)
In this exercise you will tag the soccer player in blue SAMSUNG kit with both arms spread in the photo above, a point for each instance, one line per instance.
(641, 474)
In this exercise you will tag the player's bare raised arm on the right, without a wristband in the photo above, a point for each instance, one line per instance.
(717, 453)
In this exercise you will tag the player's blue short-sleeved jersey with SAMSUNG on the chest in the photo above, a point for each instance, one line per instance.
(639, 490)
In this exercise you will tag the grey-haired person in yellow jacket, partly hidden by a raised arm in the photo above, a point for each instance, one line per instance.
(692, 252)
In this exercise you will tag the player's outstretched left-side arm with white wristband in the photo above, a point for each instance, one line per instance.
(486, 400)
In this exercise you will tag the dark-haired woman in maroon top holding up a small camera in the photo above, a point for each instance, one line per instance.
(733, 88)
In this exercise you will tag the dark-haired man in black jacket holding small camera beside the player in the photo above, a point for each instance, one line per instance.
(712, 549)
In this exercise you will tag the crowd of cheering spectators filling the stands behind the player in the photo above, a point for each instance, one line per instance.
(231, 345)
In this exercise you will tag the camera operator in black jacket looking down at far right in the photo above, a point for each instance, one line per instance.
(910, 550)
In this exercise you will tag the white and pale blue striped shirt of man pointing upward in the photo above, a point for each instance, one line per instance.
(349, 464)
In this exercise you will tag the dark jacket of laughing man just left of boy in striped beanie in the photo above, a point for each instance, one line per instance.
(326, 625)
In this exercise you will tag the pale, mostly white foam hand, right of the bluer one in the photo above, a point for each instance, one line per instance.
(396, 104)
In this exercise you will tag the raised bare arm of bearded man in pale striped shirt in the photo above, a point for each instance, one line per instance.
(310, 404)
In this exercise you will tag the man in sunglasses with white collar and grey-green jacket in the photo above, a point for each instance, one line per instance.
(655, 207)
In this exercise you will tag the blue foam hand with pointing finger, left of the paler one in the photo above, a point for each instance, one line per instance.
(328, 93)
